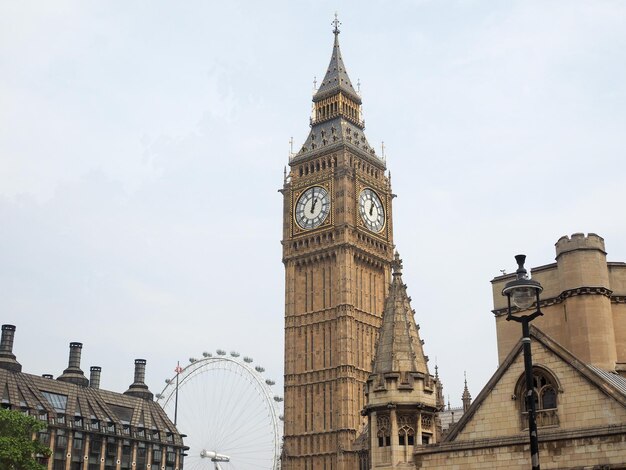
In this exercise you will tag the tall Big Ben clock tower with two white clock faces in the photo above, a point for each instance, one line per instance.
(337, 252)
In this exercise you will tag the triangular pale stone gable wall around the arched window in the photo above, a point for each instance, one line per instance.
(584, 399)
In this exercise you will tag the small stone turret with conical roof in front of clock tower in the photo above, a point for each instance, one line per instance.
(402, 396)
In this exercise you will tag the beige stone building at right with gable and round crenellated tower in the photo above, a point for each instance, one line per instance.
(579, 387)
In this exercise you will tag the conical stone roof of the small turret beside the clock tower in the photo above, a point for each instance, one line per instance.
(399, 345)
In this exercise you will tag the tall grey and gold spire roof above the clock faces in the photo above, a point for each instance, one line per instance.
(337, 117)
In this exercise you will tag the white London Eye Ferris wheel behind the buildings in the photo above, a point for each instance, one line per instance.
(228, 411)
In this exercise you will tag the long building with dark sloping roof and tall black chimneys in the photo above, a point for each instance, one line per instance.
(89, 428)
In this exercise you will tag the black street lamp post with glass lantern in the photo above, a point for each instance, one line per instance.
(523, 292)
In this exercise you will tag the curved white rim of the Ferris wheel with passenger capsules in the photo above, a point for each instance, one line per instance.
(247, 372)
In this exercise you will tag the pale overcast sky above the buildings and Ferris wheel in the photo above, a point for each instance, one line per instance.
(142, 145)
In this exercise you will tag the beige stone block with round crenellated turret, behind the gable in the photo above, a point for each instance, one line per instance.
(583, 301)
